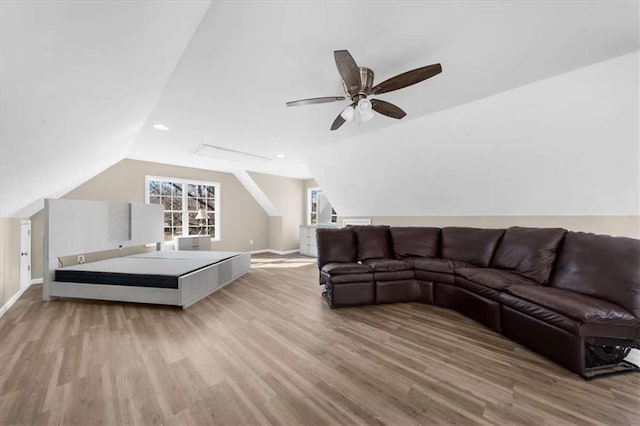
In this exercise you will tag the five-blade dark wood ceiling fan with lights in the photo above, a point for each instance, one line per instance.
(358, 87)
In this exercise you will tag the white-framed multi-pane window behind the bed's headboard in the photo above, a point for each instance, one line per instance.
(182, 200)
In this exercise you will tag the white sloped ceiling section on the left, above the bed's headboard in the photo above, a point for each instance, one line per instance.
(79, 80)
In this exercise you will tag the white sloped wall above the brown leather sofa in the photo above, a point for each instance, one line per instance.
(567, 145)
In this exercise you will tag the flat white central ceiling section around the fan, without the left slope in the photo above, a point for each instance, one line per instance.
(248, 58)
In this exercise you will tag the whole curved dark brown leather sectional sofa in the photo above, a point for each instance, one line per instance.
(571, 296)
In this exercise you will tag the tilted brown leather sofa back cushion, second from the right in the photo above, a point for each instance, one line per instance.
(529, 252)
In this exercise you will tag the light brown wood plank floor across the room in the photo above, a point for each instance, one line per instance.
(267, 350)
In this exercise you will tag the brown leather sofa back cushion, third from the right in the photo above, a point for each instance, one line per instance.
(471, 245)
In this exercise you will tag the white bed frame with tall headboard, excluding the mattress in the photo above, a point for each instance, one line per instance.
(73, 227)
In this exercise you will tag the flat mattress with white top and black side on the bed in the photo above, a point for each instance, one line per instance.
(160, 269)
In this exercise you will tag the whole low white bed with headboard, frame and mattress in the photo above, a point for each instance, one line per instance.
(179, 278)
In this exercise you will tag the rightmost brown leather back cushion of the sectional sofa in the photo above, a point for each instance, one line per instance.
(600, 266)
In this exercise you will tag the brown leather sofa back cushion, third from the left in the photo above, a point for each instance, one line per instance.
(415, 241)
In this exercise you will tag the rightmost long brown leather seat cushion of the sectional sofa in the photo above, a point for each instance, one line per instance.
(582, 308)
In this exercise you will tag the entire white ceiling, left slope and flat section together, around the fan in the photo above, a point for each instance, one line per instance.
(83, 82)
